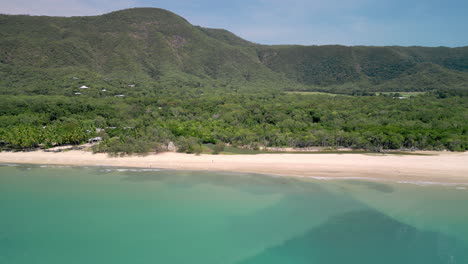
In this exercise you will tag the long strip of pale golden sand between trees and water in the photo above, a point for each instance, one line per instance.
(439, 167)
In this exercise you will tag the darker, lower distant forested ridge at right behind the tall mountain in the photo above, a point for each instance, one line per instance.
(378, 68)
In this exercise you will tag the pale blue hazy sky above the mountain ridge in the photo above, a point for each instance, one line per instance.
(304, 22)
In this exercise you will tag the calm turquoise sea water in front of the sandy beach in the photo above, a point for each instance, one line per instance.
(102, 215)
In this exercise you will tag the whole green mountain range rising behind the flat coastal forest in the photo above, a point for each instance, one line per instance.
(153, 47)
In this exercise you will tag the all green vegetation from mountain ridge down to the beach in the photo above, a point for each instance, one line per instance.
(141, 78)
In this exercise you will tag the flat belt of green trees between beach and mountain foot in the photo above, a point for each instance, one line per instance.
(191, 117)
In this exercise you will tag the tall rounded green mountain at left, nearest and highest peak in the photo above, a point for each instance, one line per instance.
(135, 45)
